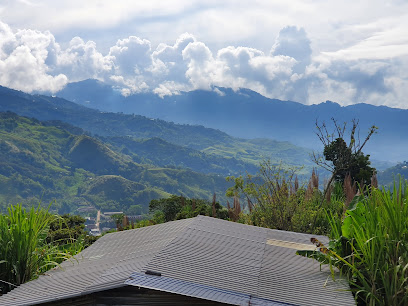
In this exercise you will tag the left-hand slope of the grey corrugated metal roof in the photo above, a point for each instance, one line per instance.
(104, 265)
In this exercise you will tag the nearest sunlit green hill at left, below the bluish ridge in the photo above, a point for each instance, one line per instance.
(42, 162)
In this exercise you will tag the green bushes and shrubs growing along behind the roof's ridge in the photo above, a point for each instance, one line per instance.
(273, 198)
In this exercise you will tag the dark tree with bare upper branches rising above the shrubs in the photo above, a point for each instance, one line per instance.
(343, 159)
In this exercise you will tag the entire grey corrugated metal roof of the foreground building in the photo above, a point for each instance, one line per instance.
(201, 257)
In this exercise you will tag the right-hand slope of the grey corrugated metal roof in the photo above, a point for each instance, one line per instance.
(236, 258)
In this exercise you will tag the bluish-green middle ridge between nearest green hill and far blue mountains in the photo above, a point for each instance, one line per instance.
(158, 142)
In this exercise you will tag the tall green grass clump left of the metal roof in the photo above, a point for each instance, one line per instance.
(32, 242)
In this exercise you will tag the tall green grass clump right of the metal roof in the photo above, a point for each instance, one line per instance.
(370, 246)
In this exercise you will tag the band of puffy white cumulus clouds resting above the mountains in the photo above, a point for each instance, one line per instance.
(32, 60)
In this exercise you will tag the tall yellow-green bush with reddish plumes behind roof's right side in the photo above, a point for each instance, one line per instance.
(276, 200)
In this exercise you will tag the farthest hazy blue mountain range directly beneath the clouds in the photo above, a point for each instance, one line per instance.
(247, 114)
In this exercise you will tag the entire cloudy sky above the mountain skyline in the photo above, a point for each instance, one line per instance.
(307, 51)
